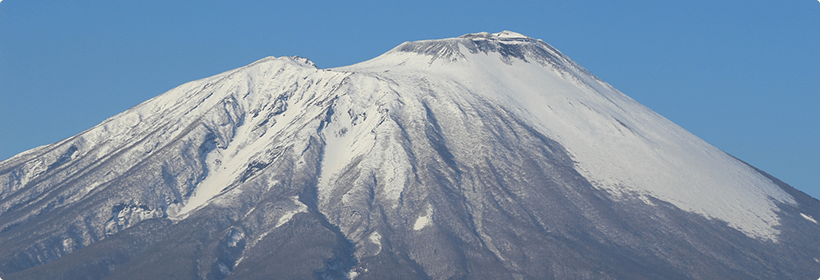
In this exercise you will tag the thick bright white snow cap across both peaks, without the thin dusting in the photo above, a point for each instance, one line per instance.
(618, 144)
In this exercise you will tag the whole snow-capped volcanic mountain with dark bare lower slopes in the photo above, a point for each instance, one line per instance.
(487, 156)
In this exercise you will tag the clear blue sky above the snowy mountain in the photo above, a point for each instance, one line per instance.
(742, 75)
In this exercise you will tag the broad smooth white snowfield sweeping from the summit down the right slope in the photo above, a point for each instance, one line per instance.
(619, 145)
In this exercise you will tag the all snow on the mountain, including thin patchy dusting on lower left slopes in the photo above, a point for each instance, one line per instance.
(362, 114)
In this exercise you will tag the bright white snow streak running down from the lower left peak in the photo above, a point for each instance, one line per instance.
(248, 143)
